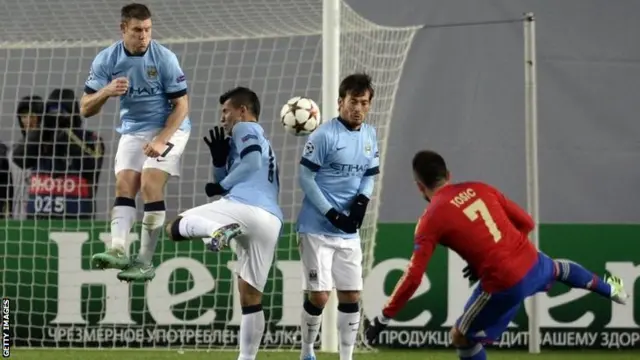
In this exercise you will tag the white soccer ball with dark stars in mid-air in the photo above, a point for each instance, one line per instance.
(300, 116)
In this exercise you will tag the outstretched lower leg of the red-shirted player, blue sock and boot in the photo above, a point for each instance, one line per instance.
(576, 276)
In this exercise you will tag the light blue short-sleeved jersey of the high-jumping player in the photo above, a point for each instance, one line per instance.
(155, 78)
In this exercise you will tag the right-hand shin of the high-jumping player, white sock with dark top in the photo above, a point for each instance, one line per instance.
(152, 222)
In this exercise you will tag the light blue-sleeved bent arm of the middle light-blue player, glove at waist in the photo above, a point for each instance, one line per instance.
(247, 140)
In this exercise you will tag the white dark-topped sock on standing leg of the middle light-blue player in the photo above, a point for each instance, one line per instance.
(251, 330)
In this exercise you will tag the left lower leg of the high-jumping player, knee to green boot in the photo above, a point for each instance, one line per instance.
(123, 216)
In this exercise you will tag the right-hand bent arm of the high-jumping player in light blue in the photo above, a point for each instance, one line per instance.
(174, 83)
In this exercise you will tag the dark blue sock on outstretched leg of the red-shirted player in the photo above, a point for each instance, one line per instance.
(574, 275)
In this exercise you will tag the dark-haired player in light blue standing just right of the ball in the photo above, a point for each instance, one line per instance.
(339, 163)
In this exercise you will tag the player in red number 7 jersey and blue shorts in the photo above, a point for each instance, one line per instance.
(490, 232)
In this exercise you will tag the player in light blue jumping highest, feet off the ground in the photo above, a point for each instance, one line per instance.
(152, 89)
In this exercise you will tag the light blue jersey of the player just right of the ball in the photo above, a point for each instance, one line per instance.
(344, 162)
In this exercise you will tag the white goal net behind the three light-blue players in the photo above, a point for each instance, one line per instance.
(271, 46)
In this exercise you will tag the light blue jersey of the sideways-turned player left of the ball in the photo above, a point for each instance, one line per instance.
(251, 175)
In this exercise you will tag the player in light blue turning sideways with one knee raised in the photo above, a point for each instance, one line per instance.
(246, 174)
